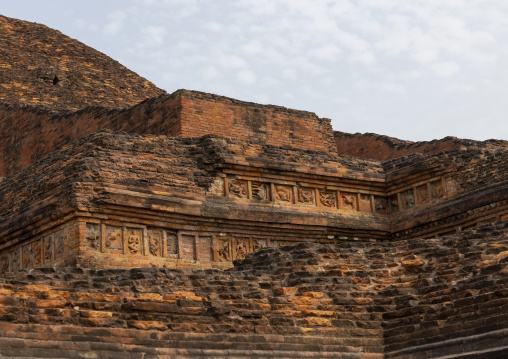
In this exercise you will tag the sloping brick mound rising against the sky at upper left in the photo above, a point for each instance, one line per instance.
(41, 66)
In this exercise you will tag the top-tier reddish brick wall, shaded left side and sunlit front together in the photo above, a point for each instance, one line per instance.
(29, 133)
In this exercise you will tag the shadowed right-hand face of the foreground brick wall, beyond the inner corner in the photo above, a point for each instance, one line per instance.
(451, 298)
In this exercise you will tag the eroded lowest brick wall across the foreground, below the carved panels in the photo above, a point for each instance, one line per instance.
(417, 299)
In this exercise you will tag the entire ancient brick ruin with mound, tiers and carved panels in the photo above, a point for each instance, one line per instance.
(191, 225)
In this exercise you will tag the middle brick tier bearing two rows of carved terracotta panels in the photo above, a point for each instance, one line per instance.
(141, 201)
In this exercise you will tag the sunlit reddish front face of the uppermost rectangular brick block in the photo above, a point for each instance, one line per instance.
(205, 113)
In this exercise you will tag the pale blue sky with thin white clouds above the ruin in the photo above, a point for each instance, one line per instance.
(416, 70)
